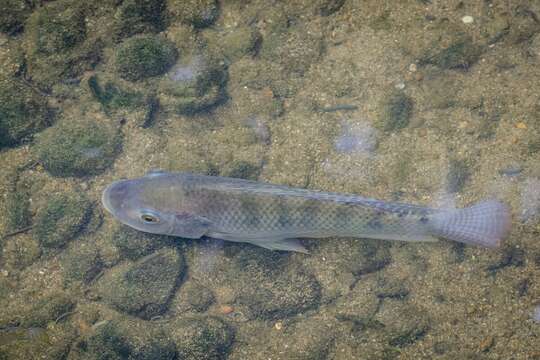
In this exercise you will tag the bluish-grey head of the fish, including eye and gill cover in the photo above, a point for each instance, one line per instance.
(155, 204)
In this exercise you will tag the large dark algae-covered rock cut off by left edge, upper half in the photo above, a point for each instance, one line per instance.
(23, 112)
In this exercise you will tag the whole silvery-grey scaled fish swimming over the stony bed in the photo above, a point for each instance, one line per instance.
(275, 216)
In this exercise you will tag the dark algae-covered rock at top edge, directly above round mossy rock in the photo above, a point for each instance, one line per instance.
(138, 16)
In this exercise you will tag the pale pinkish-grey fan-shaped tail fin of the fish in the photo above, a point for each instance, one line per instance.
(485, 224)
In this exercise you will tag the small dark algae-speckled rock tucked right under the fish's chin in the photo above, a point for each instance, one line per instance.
(134, 244)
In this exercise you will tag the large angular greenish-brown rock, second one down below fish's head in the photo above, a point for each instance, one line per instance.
(143, 288)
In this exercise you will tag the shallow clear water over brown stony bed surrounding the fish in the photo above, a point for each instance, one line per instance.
(410, 102)
